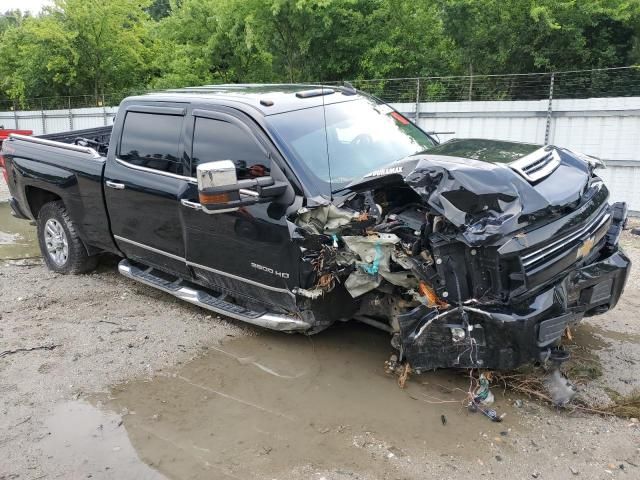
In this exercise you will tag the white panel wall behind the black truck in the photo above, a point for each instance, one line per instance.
(605, 127)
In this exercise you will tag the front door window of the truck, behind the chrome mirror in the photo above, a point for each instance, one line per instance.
(219, 140)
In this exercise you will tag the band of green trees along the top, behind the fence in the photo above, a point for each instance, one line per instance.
(94, 46)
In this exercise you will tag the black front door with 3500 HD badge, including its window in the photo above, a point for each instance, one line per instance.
(246, 252)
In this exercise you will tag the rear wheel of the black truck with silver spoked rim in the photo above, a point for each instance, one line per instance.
(61, 247)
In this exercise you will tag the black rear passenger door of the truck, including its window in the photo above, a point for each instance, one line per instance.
(145, 179)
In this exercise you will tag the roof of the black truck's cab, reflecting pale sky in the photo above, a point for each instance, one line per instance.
(269, 99)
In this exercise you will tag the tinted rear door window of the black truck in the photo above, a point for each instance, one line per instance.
(152, 140)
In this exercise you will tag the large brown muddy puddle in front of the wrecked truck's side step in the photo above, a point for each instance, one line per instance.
(273, 406)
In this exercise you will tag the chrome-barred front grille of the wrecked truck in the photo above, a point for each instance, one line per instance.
(561, 247)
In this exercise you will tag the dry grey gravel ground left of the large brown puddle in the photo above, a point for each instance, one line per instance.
(105, 330)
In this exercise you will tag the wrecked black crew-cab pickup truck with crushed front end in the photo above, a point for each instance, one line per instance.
(293, 207)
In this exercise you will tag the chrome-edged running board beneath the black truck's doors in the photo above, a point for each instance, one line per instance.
(192, 294)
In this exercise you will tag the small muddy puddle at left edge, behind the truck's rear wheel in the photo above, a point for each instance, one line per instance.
(17, 237)
